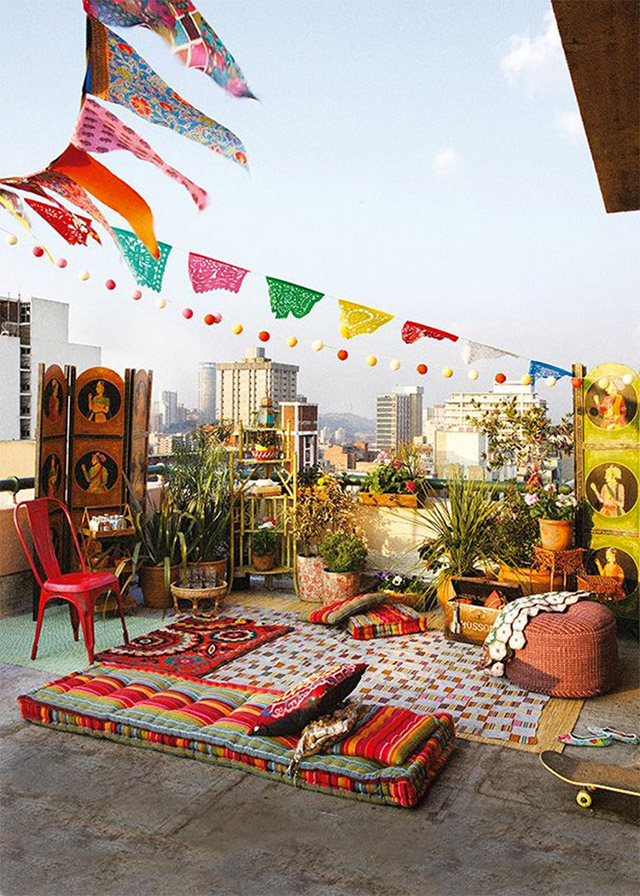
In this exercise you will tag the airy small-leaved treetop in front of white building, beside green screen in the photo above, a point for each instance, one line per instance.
(523, 438)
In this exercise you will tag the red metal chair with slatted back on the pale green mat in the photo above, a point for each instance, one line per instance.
(80, 589)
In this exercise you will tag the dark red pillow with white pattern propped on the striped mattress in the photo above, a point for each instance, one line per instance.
(315, 696)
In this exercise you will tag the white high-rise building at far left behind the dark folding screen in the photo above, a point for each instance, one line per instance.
(33, 331)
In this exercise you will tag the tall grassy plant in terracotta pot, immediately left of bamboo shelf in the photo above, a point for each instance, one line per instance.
(198, 484)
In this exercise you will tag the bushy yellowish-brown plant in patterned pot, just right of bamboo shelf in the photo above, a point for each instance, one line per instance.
(323, 506)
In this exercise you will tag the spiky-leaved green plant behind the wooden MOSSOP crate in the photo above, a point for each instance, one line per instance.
(459, 538)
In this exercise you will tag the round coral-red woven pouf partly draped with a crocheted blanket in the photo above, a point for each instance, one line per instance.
(571, 654)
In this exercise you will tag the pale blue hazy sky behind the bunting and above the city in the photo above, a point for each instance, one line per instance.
(422, 157)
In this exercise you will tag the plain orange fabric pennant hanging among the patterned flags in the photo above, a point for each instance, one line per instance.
(107, 188)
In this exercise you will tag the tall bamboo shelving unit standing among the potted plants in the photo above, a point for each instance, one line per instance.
(249, 509)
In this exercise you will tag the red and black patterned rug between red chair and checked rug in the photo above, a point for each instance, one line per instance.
(193, 646)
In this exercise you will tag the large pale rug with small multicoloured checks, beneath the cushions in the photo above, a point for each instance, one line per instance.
(423, 673)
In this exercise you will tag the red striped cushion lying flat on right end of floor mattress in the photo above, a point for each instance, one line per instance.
(387, 734)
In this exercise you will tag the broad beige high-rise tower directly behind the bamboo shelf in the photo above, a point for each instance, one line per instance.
(241, 385)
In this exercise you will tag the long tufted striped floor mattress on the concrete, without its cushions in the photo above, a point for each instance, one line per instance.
(212, 721)
